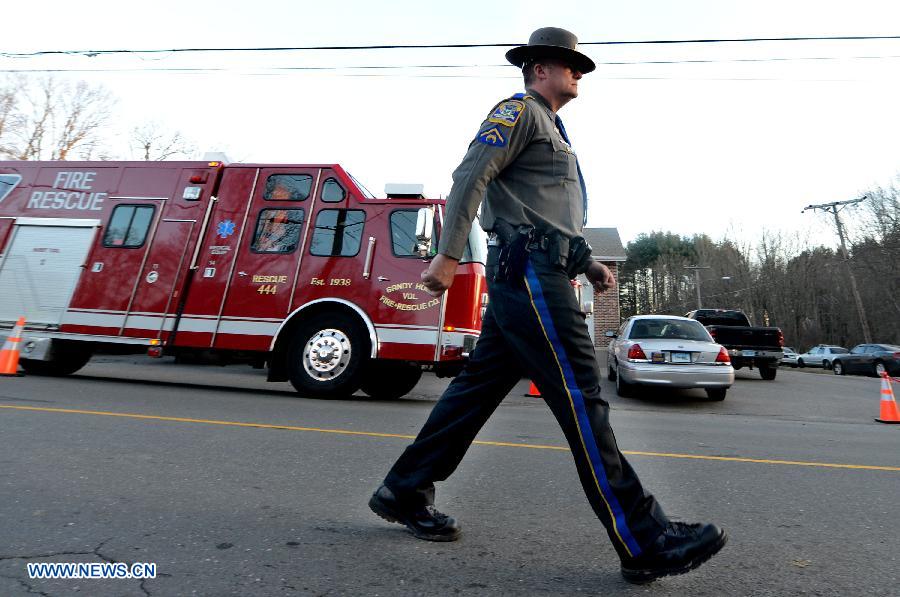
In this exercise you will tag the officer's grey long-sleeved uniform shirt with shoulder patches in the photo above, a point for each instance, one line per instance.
(524, 171)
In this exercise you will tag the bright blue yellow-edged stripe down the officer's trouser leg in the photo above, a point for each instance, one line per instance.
(576, 400)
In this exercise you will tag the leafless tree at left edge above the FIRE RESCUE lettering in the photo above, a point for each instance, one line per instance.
(50, 119)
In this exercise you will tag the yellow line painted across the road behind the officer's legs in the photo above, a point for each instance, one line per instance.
(101, 413)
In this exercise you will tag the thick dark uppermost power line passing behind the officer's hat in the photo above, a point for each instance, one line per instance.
(93, 53)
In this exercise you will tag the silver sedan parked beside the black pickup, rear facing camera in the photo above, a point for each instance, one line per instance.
(667, 351)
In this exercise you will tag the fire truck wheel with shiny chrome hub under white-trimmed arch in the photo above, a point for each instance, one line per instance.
(327, 356)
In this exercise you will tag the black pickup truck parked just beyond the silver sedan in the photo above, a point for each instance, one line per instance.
(747, 345)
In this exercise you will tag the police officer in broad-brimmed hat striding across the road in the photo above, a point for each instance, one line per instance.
(522, 166)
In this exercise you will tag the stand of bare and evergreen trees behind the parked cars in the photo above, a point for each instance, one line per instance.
(778, 280)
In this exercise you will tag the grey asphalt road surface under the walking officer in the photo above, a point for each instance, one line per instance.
(233, 486)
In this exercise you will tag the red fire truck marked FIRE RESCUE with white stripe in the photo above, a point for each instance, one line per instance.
(294, 267)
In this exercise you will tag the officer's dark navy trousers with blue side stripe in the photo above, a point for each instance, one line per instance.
(534, 327)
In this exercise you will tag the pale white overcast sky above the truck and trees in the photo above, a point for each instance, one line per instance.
(728, 140)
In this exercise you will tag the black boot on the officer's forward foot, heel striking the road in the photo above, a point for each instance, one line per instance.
(679, 549)
